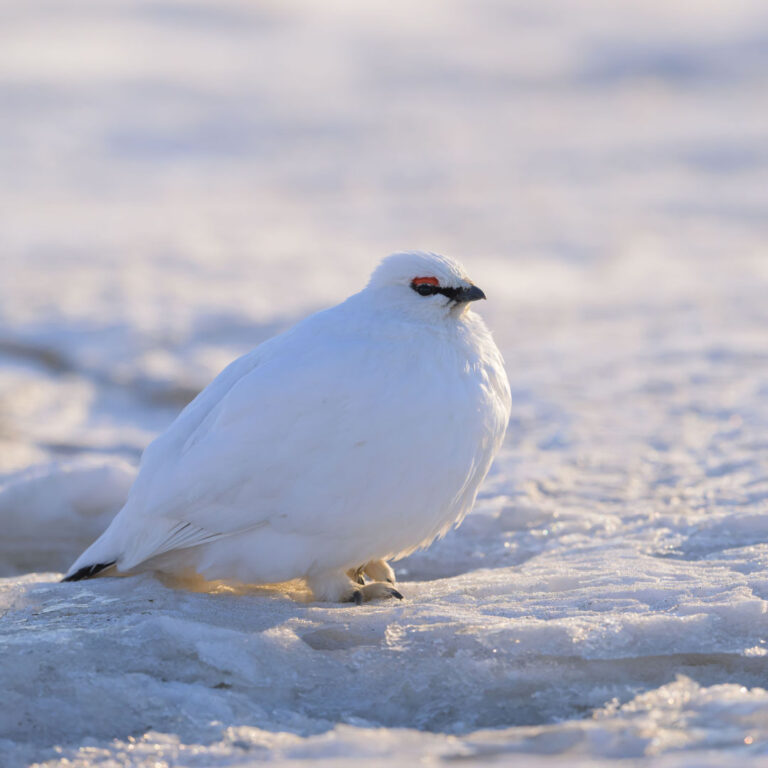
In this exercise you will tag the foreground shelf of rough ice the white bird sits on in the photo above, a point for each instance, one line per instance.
(565, 662)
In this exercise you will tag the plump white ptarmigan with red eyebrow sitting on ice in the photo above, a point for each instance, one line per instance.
(357, 436)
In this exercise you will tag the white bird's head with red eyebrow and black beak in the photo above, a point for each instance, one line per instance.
(424, 285)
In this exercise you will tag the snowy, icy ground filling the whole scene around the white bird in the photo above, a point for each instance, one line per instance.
(182, 180)
